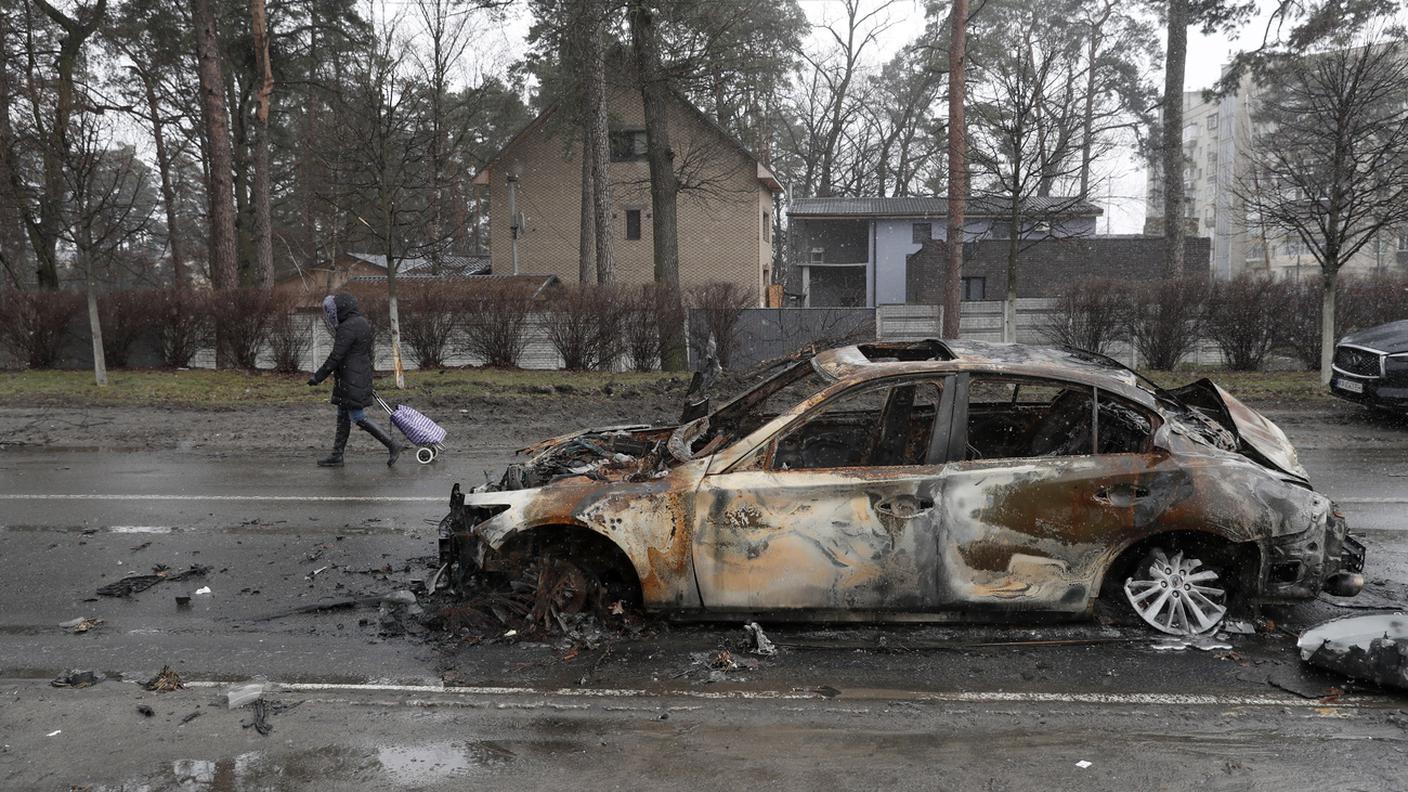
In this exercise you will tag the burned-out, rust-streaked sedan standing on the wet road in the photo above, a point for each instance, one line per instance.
(937, 481)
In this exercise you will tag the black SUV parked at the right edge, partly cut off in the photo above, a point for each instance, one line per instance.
(1372, 366)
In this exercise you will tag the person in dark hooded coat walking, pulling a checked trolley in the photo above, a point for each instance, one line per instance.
(350, 363)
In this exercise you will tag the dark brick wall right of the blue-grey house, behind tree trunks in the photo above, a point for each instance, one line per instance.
(1047, 267)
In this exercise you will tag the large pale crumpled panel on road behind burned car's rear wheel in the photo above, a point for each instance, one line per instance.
(1362, 648)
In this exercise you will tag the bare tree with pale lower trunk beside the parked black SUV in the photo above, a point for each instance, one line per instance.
(1331, 164)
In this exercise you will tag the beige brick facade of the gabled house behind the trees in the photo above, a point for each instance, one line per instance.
(724, 208)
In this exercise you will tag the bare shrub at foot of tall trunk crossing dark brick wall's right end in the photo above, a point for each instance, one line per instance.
(1164, 319)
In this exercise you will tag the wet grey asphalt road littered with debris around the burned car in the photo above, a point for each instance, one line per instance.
(950, 708)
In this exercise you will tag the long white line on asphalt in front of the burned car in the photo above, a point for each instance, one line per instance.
(960, 697)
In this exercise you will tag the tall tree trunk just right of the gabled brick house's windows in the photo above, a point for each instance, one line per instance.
(664, 182)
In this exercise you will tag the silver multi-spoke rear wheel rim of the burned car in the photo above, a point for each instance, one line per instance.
(1178, 595)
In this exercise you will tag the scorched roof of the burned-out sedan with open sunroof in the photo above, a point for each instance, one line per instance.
(889, 359)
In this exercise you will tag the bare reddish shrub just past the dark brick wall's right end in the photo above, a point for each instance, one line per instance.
(1244, 318)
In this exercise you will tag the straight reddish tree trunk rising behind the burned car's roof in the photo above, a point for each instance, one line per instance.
(958, 171)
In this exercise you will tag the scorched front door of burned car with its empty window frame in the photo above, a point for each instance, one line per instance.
(755, 528)
